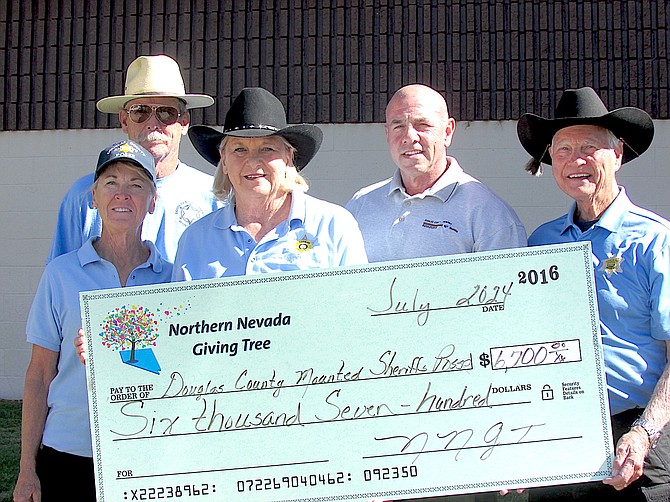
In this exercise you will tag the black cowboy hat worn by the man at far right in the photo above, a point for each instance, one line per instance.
(583, 107)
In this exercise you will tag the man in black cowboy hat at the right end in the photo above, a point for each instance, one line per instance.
(585, 145)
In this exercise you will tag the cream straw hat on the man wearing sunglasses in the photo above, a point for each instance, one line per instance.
(153, 76)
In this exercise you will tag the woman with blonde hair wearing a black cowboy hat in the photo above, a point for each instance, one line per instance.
(268, 224)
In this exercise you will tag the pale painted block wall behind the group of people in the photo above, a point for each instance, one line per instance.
(38, 167)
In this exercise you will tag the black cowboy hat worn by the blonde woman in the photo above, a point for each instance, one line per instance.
(256, 112)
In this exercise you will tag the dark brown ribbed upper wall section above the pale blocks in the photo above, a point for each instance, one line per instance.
(333, 61)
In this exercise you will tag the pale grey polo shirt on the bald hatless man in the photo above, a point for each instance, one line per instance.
(458, 214)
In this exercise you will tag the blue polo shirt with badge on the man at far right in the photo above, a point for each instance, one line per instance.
(631, 263)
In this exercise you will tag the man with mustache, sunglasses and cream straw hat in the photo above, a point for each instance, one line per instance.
(154, 112)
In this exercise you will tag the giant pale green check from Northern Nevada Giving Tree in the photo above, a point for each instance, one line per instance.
(403, 379)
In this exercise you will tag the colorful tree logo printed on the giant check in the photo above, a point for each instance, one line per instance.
(129, 328)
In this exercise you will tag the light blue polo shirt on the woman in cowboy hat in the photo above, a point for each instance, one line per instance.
(317, 234)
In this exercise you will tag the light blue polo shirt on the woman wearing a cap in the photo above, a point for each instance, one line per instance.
(53, 322)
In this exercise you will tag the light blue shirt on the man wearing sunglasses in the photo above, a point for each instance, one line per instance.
(183, 197)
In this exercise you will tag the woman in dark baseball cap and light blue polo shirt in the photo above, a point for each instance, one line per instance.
(55, 435)
